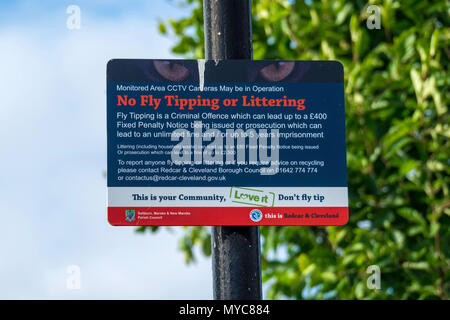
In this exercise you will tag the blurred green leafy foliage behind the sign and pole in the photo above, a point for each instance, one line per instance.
(396, 85)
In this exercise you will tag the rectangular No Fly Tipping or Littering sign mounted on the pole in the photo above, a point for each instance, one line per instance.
(236, 142)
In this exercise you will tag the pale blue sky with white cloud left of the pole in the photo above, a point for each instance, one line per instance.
(53, 141)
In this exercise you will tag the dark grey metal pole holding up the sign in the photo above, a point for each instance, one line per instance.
(236, 259)
